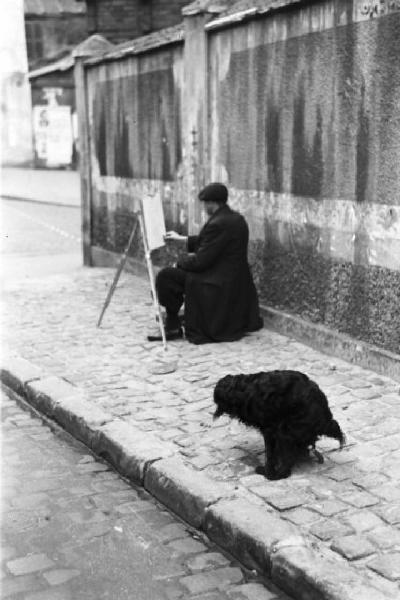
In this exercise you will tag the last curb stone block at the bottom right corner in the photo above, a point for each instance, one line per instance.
(314, 573)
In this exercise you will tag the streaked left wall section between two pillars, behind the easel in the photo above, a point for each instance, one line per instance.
(135, 108)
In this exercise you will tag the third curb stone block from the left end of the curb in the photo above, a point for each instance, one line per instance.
(80, 418)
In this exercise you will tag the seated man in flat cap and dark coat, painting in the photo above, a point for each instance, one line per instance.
(213, 280)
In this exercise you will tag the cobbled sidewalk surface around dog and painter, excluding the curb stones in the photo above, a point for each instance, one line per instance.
(351, 503)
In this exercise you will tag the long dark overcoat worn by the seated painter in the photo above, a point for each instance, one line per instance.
(221, 302)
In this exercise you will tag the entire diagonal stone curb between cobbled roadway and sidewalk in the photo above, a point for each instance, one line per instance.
(255, 536)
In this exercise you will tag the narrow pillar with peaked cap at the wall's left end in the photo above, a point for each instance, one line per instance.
(96, 44)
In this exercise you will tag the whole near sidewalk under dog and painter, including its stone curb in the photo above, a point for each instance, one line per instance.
(330, 531)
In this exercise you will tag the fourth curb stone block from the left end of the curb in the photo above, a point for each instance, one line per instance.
(129, 449)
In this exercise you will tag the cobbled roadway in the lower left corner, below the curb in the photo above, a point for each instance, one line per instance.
(72, 528)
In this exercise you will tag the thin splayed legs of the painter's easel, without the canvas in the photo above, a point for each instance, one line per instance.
(150, 270)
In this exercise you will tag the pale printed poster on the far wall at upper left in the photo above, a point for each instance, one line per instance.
(53, 134)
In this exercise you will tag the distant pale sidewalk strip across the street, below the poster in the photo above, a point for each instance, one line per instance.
(34, 184)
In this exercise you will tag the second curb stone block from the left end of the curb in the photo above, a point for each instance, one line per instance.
(46, 392)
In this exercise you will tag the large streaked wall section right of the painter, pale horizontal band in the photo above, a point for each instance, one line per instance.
(305, 127)
